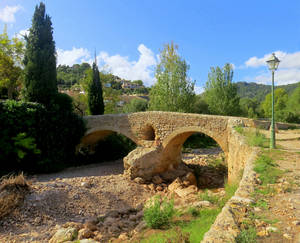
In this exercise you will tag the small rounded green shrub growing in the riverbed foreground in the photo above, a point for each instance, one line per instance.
(158, 212)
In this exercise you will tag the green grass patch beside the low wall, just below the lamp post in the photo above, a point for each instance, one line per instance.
(266, 168)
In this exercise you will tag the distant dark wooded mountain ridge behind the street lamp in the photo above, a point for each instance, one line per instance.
(259, 91)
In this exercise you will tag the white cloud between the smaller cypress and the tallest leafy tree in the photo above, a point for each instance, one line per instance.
(132, 70)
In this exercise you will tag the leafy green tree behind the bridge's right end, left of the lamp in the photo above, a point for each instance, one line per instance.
(221, 93)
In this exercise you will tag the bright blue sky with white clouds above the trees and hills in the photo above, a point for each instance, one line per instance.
(128, 34)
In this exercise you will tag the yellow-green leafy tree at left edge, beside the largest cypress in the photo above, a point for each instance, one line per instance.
(11, 54)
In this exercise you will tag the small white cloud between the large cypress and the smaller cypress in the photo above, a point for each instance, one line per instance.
(70, 57)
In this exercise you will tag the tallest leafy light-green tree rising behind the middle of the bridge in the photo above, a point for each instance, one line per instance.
(173, 90)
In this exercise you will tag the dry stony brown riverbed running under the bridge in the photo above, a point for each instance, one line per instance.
(98, 201)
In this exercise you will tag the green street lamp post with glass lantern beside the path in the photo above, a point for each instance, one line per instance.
(273, 63)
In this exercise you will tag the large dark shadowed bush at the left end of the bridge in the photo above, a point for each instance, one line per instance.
(34, 138)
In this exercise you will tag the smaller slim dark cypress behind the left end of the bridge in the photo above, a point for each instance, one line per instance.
(95, 95)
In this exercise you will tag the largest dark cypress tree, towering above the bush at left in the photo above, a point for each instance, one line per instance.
(40, 60)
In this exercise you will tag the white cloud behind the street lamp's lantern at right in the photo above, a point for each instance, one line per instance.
(288, 71)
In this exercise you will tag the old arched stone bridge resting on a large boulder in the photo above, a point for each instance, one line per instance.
(160, 135)
